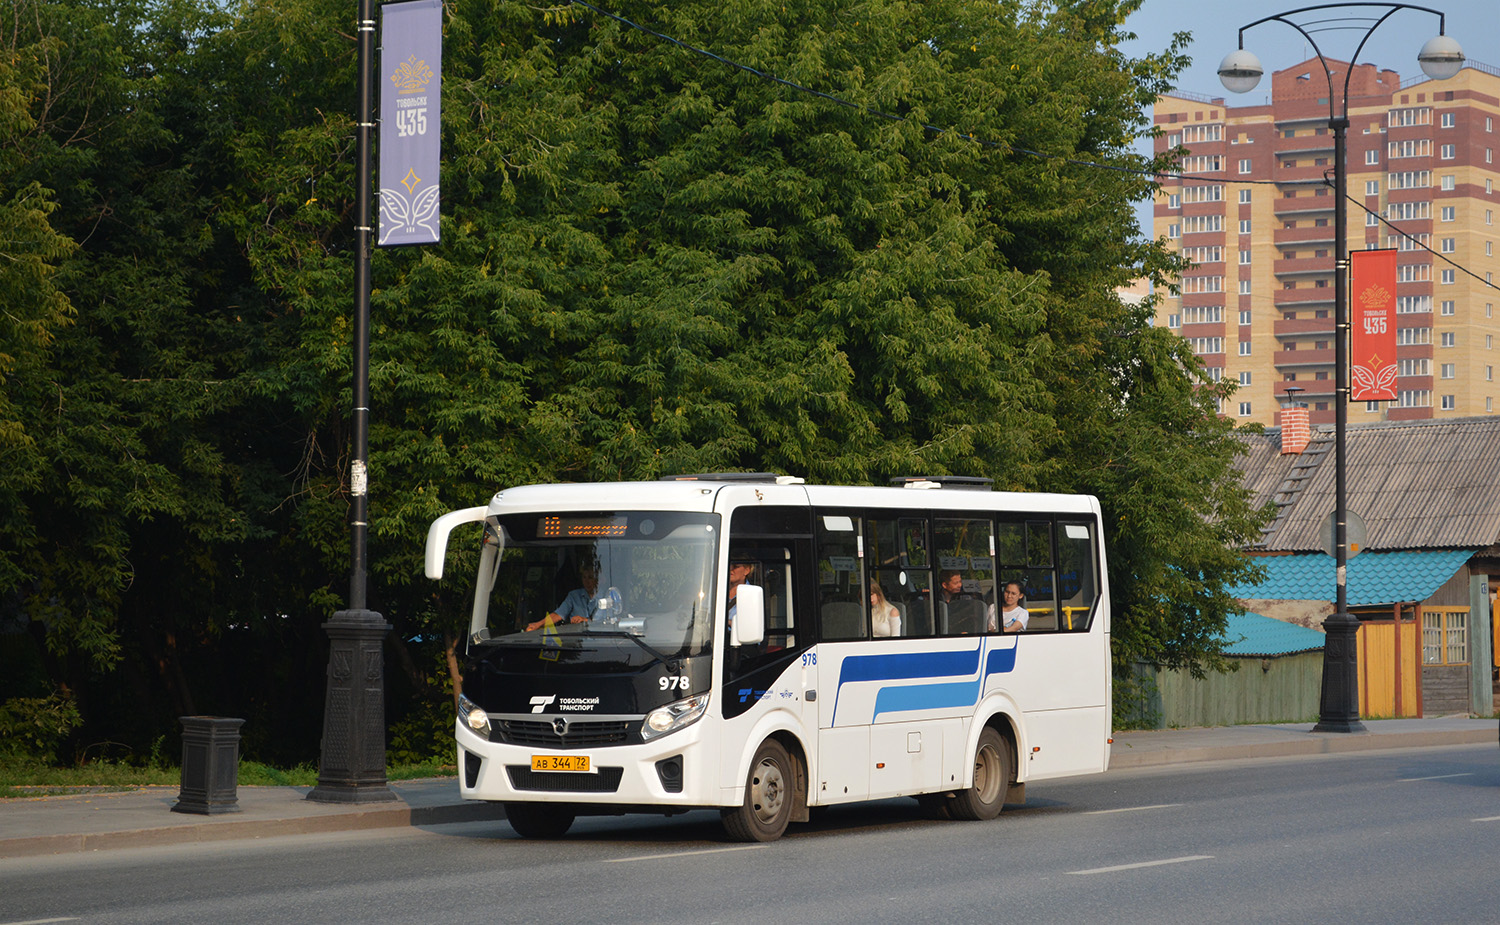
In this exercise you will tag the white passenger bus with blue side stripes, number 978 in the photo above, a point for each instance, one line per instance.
(725, 654)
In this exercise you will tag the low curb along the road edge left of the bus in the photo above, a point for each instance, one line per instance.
(391, 818)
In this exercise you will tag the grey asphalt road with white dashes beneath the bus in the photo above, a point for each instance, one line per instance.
(1408, 836)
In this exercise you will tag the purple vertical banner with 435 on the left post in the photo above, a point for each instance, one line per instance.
(410, 122)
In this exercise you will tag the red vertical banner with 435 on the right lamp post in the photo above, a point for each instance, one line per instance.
(1373, 326)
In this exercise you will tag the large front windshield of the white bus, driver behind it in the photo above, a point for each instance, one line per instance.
(637, 576)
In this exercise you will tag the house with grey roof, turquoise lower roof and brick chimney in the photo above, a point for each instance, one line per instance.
(1424, 579)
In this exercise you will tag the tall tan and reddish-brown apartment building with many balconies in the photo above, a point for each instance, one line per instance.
(1255, 214)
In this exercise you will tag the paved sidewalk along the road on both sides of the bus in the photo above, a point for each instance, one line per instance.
(89, 822)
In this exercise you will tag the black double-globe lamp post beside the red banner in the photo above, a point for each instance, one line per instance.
(1441, 59)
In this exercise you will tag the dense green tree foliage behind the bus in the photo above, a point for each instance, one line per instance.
(898, 257)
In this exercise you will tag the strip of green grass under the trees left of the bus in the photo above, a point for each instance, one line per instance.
(22, 779)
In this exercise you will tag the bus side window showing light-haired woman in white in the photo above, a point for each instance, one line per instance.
(896, 555)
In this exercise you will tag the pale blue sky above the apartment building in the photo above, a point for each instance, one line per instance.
(1214, 26)
